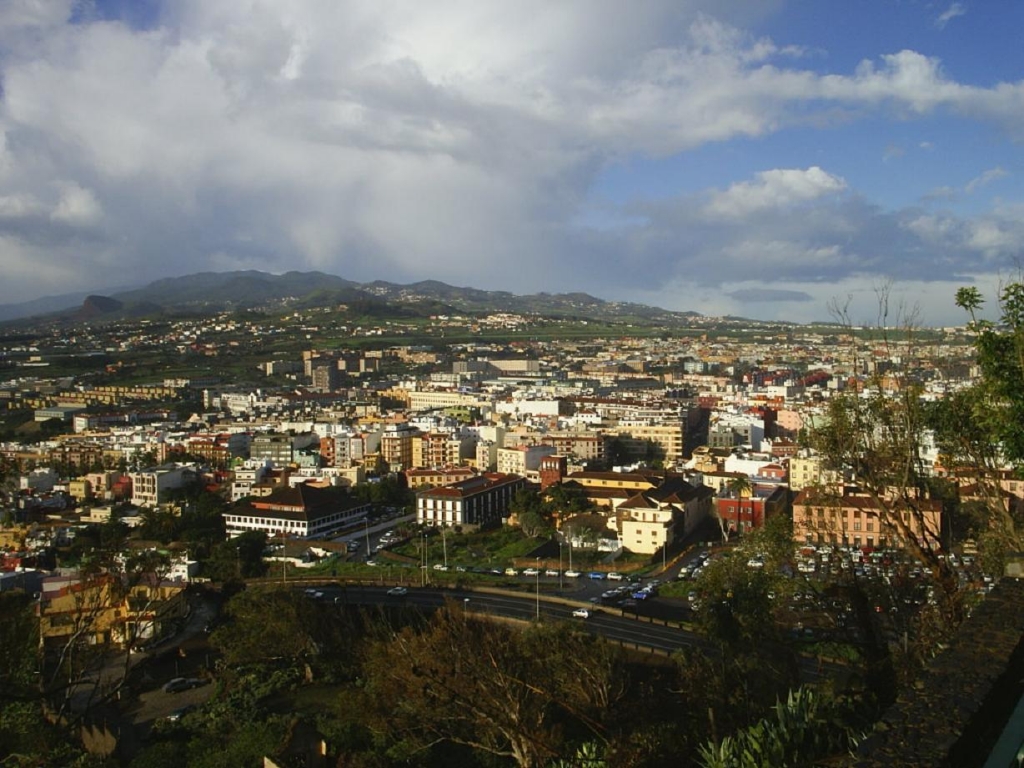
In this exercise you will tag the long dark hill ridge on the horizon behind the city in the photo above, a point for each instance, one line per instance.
(209, 292)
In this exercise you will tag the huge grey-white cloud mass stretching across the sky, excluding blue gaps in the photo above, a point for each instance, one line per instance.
(459, 142)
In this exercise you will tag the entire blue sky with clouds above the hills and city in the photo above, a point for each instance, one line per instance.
(775, 160)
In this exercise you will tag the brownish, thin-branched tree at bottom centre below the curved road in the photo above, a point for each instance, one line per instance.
(490, 688)
